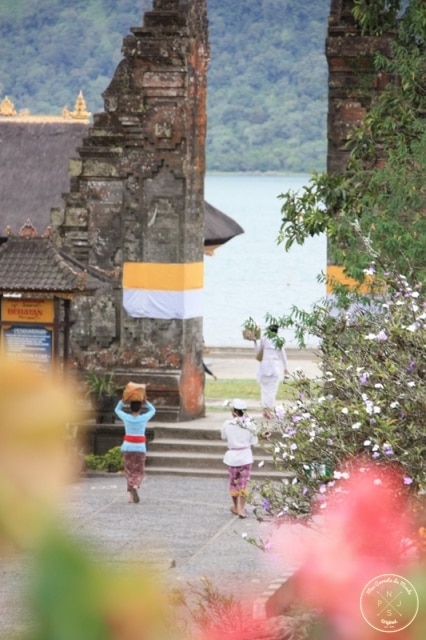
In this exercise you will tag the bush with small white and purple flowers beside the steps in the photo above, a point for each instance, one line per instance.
(370, 404)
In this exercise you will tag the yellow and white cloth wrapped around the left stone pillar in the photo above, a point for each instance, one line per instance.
(163, 290)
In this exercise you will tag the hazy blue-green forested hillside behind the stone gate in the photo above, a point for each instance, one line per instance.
(267, 79)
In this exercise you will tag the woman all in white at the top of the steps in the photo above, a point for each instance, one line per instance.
(269, 372)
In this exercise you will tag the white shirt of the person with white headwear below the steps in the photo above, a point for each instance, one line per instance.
(240, 434)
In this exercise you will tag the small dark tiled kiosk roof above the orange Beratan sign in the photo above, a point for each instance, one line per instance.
(37, 265)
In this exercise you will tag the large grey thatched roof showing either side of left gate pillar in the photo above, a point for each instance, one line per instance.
(34, 156)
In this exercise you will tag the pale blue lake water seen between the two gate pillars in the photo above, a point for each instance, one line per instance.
(252, 275)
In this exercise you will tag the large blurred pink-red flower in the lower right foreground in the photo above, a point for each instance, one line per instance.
(362, 534)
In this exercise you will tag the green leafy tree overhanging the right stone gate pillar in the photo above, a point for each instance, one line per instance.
(376, 208)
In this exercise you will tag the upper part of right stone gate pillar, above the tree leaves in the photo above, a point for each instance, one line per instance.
(353, 81)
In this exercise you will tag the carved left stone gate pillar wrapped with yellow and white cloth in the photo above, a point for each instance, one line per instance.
(137, 202)
